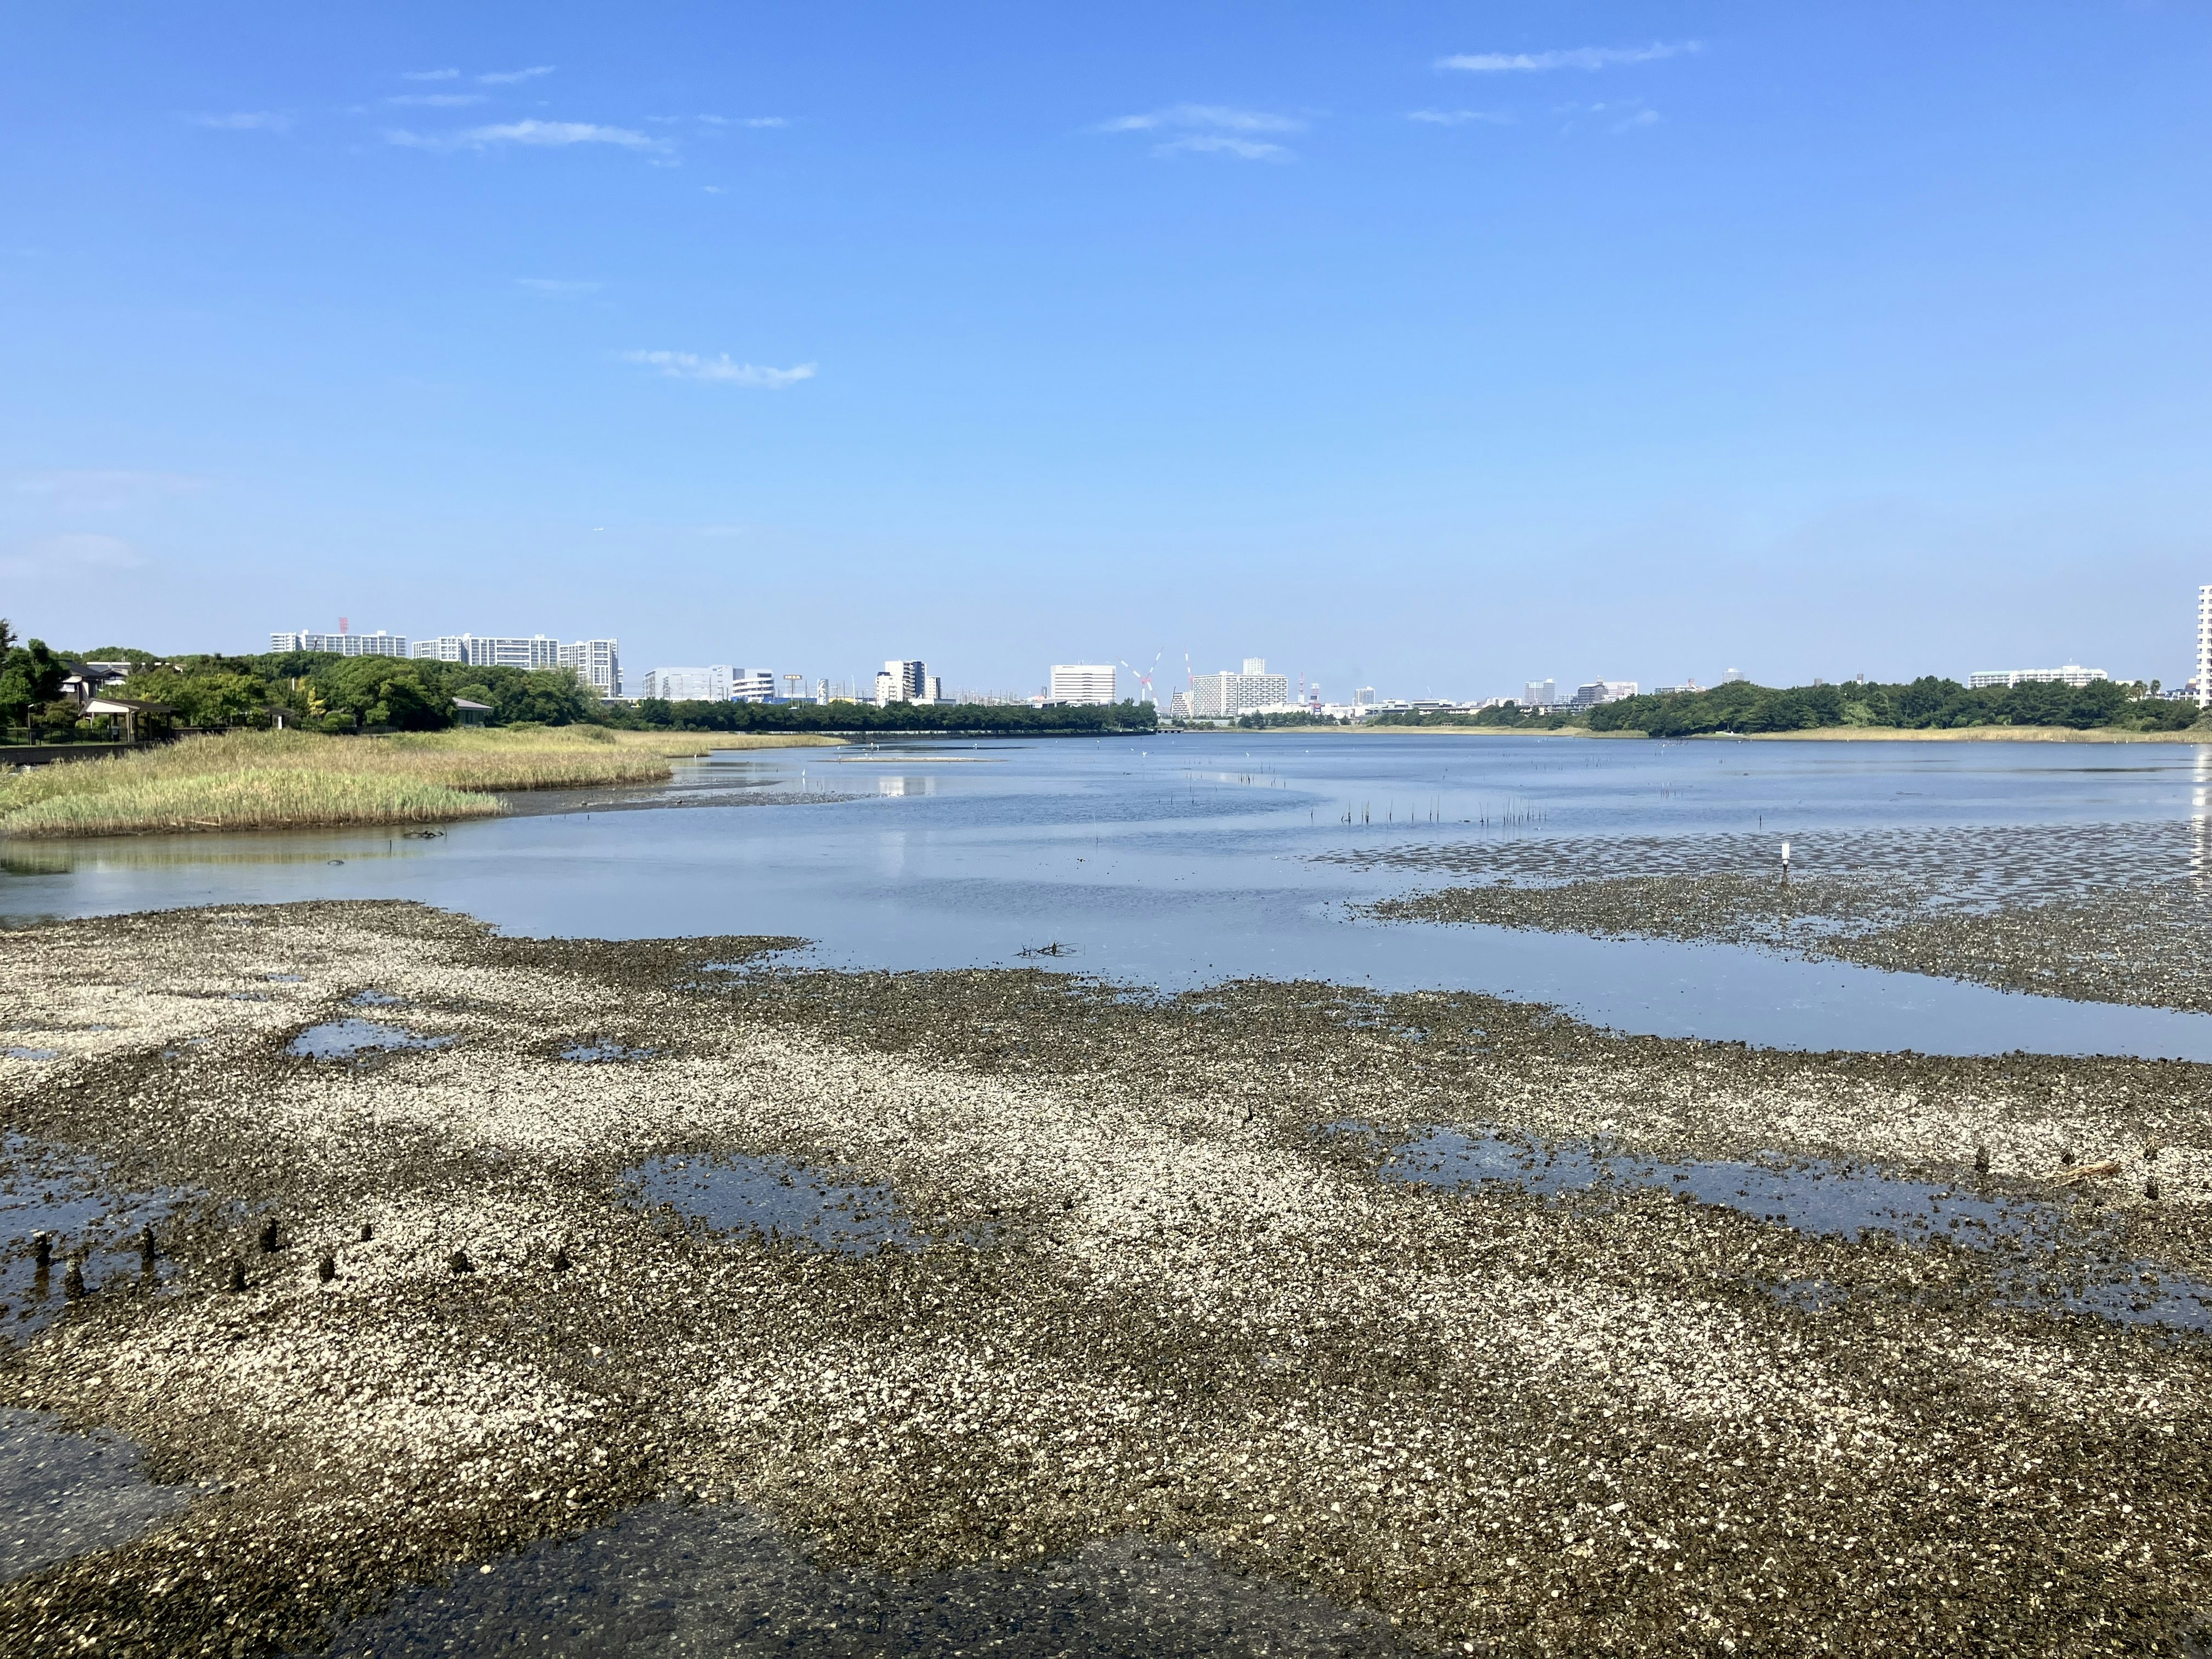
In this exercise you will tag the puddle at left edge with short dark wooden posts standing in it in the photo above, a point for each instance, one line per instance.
(76, 1207)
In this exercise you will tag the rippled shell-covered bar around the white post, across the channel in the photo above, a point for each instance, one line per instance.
(2087, 912)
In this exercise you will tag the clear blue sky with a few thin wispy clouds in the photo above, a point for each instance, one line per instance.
(1421, 346)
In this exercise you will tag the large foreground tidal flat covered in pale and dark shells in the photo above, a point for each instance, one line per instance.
(1156, 1306)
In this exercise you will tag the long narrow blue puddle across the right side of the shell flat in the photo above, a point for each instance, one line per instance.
(1833, 1200)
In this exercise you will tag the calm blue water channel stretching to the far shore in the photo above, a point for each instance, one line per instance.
(1176, 862)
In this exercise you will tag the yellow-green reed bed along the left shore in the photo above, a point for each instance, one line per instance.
(286, 780)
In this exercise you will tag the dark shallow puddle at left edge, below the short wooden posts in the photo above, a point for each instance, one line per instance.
(65, 1494)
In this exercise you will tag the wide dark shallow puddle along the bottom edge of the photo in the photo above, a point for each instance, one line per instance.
(676, 1580)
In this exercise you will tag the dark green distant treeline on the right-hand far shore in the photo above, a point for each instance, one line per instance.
(1923, 705)
